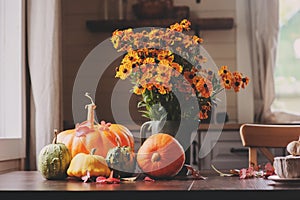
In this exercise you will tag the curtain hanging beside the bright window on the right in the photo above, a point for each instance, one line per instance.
(264, 19)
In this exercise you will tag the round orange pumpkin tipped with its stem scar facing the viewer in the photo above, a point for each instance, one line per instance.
(161, 156)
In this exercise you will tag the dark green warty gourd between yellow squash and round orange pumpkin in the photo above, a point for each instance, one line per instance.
(121, 160)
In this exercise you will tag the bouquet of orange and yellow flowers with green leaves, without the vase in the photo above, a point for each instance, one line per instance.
(166, 68)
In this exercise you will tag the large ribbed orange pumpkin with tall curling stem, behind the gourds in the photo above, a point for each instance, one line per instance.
(89, 135)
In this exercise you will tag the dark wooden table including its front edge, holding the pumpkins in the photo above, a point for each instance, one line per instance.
(32, 181)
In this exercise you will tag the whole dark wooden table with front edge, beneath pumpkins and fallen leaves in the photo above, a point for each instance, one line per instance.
(31, 183)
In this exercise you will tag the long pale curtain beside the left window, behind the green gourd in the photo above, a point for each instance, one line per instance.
(43, 35)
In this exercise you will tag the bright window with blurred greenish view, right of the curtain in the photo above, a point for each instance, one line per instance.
(287, 71)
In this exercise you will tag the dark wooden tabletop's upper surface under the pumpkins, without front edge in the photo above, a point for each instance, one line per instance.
(32, 180)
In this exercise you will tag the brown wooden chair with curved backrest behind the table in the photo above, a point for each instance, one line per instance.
(264, 136)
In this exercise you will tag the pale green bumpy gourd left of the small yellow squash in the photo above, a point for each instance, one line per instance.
(54, 160)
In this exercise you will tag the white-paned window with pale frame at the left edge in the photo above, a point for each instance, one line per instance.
(12, 80)
